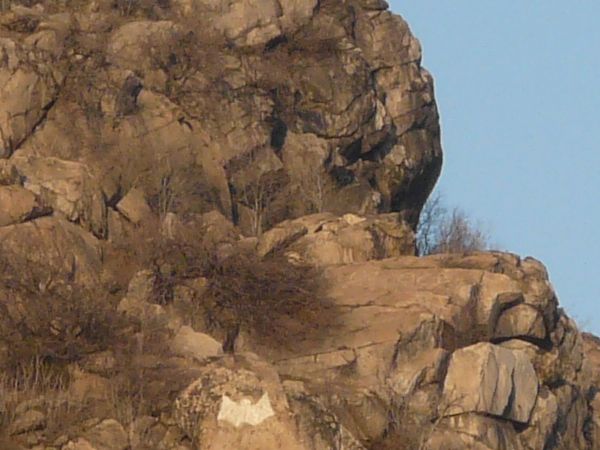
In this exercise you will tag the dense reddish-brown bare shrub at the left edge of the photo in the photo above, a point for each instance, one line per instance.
(50, 318)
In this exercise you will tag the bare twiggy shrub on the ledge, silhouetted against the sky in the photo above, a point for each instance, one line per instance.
(441, 231)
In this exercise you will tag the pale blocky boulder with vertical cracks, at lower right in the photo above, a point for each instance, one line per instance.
(488, 379)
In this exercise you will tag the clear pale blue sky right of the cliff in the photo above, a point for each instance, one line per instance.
(518, 88)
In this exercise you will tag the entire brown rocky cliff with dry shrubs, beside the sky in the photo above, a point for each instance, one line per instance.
(207, 215)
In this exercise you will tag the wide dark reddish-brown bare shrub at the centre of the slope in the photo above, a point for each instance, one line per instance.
(270, 297)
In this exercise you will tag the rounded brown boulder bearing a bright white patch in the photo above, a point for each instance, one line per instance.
(239, 403)
